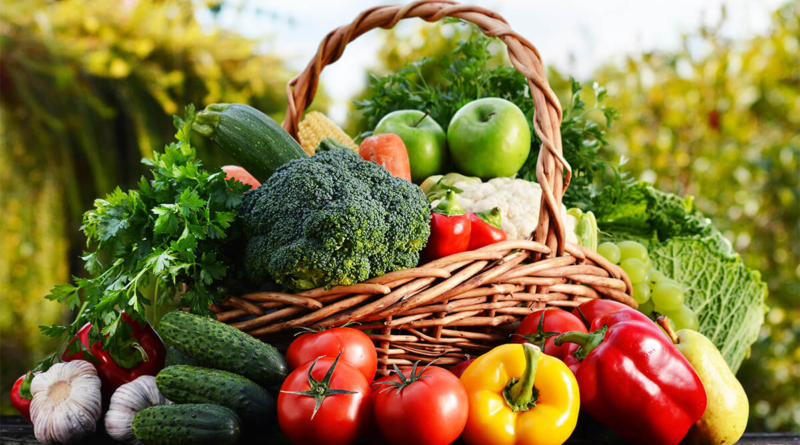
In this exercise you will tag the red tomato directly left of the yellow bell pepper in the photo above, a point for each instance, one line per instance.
(431, 408)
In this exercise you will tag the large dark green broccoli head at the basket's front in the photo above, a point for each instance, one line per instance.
(333, 219)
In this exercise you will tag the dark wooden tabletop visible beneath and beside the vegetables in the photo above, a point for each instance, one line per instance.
(15, 430)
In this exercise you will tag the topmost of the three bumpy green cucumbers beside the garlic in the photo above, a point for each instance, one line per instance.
(216, 345)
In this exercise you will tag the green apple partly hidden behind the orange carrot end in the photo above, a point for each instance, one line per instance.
(424, 139)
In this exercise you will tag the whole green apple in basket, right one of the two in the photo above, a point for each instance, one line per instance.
(488, 138)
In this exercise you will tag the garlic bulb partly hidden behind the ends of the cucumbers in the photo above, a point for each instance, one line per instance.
(128, 400)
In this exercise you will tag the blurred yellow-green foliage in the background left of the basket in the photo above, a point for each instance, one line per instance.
(87, 88)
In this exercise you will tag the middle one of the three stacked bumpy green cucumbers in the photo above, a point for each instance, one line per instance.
(193, 384)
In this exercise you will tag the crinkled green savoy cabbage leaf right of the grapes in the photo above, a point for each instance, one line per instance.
(684, 245)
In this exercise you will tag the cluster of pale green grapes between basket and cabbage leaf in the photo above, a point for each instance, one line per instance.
(654, 291)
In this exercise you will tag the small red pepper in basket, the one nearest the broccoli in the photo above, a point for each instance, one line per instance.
(450, 229)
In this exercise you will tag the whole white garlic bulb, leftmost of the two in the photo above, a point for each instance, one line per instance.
(66, 403)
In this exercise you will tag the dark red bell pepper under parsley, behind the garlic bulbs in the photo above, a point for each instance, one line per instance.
(143, 354)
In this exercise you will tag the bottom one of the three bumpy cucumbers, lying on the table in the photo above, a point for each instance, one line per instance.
(186, 424)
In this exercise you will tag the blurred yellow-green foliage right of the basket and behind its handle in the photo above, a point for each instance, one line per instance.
(720, 120)
